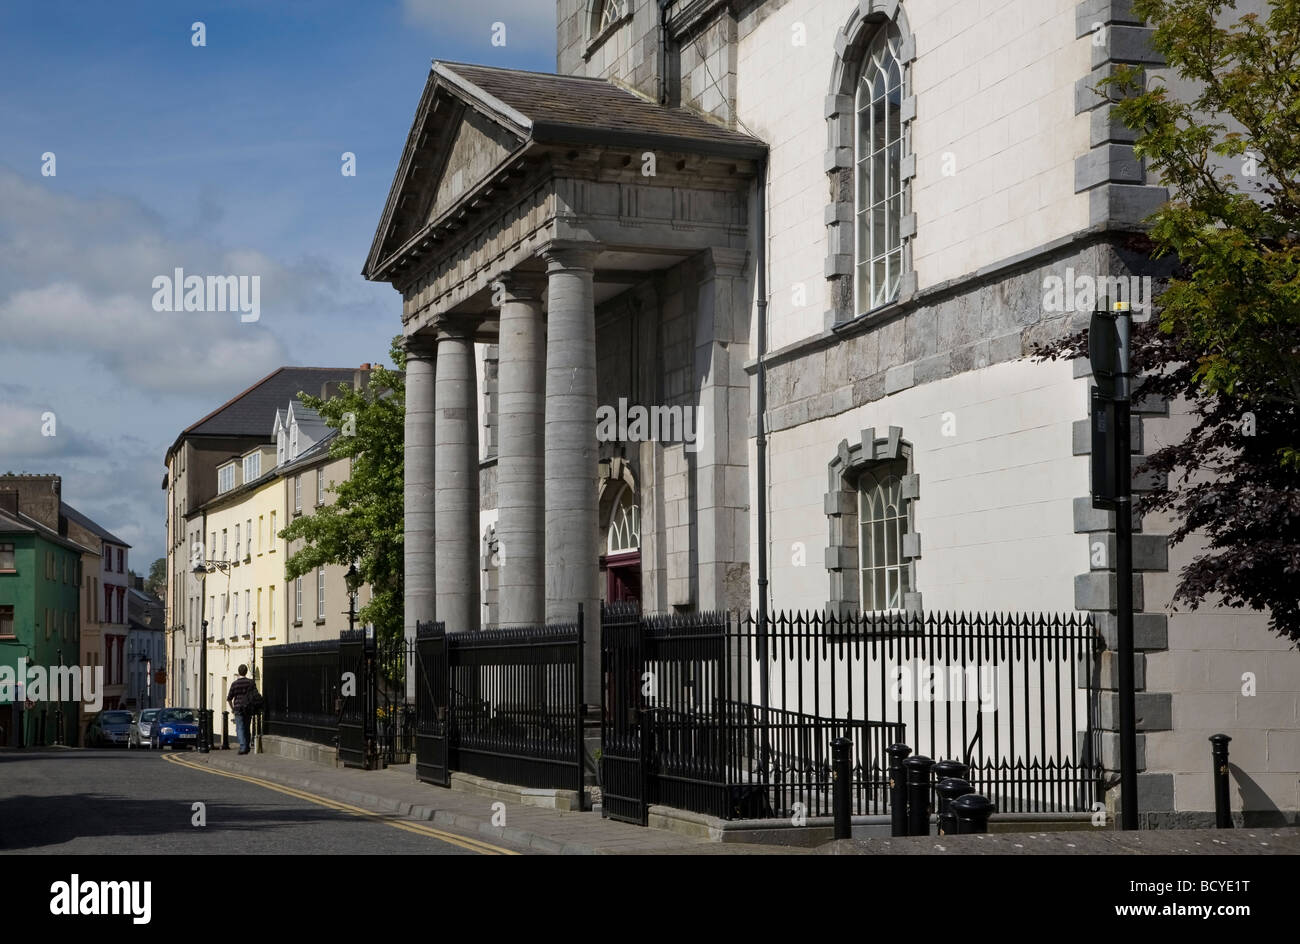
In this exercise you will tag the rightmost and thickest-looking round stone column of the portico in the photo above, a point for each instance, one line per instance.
(573, 539)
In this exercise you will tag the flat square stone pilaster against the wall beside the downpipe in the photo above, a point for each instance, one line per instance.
(720, 458)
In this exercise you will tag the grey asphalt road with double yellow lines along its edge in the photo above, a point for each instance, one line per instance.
(140, 803)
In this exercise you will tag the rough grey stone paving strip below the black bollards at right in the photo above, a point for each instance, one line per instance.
(1253, 842)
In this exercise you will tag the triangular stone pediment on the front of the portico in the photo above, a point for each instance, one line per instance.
(457, 141)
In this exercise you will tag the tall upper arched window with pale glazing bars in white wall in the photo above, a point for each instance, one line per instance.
(878, 164)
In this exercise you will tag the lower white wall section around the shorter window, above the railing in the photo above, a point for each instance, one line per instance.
(995, 514)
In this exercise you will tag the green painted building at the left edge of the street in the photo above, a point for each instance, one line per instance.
(40, 622)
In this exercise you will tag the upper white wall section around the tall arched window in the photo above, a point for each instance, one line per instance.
(995, 89)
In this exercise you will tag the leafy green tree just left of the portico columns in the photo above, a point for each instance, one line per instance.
(365, 525)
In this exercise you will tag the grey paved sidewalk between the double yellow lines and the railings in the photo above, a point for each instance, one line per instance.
(397, 791)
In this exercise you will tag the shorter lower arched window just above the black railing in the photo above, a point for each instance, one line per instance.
(883, 522)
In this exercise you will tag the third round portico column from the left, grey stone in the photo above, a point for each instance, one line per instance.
(522, 415)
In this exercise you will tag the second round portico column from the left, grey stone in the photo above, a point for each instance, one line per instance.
(457, 482)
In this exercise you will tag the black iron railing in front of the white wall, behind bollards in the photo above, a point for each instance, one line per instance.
(1013, 695)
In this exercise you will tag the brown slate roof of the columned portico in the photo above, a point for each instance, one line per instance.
(579, 110)
